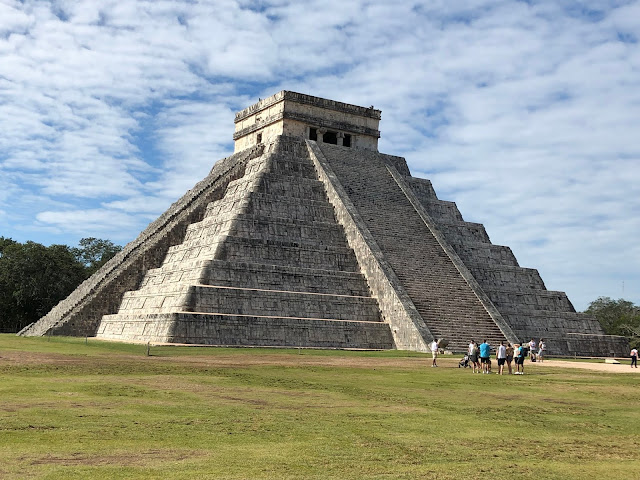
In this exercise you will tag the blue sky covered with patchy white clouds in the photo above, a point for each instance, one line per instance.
(525, 113)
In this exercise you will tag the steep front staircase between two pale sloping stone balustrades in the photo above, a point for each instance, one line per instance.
(448, 305)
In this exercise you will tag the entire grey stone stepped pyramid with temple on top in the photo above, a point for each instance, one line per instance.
(307, 236)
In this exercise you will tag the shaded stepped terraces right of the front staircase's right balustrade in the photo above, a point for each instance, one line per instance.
(518, 293)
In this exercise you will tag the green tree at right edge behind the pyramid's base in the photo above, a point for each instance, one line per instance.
(617, 317)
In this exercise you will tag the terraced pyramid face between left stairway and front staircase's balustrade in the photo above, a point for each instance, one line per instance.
(268, 265)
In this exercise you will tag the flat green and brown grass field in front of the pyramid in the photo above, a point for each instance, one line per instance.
(100, 410)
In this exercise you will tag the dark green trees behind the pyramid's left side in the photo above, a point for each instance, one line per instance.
(34, 278)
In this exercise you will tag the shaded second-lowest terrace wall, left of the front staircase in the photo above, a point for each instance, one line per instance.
(246, 301)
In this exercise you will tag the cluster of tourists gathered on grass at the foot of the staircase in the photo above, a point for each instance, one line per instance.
(480, 356)
